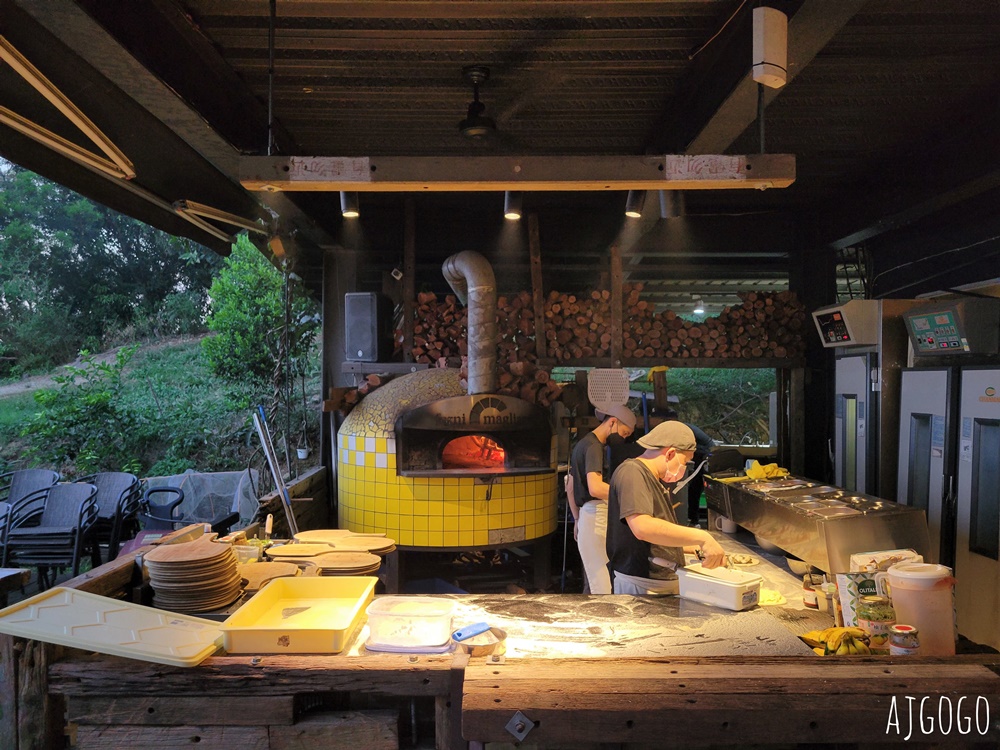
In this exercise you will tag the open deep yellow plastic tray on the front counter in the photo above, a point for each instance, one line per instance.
(299, 616)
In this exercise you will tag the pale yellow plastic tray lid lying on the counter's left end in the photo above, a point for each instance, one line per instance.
(98, 623)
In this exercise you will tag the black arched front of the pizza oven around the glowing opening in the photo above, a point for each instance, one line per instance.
(482, 434)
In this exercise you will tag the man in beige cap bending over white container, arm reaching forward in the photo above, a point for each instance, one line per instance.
(645, 543)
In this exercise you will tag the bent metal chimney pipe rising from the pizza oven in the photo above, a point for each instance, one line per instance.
(471, 277)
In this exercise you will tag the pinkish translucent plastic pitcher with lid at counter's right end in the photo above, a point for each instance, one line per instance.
(923, 595)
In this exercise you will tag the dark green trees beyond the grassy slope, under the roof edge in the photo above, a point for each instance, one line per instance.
(72, 272)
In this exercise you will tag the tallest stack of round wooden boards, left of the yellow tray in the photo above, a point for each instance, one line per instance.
(198, 576)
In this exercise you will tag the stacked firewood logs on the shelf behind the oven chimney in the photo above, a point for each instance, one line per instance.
(578, 328)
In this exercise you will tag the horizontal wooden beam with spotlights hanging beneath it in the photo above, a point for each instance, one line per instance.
(489, 173)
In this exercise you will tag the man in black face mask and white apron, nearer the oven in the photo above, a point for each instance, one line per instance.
(587, 493)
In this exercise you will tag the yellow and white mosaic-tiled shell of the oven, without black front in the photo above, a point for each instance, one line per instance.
(430, 511)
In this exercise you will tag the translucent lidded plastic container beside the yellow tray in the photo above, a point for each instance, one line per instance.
(409, 621)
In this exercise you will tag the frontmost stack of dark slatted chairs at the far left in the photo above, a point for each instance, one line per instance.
(53, 531)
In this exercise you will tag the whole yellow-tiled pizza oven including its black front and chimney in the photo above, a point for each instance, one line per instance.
(436, 466)
